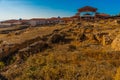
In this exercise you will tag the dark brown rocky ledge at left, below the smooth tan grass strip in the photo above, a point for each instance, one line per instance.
(28, 46)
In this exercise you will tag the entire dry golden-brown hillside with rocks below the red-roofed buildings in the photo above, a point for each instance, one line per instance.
(80, 50)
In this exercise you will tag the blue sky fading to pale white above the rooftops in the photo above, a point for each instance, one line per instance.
(26, 9)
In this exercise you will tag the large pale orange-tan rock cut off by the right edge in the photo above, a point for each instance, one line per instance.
(116, 43)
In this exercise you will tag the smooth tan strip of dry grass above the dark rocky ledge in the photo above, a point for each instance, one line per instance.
(28, 34)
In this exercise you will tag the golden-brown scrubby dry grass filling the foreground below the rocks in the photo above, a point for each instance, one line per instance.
(67, 66)
